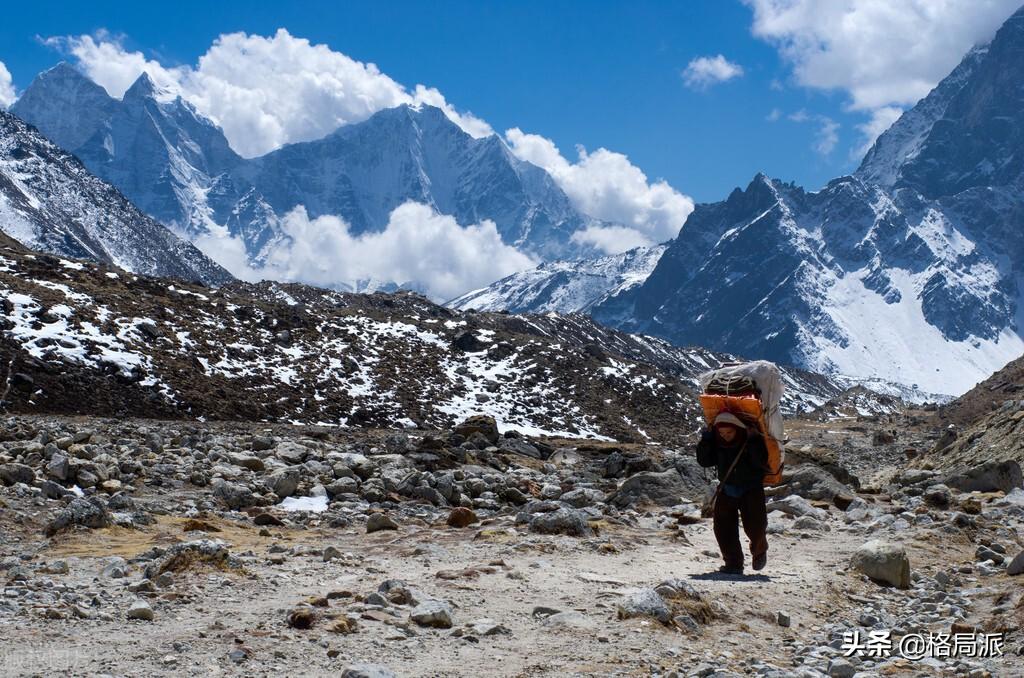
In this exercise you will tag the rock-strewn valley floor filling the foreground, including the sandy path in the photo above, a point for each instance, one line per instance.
(144, 547)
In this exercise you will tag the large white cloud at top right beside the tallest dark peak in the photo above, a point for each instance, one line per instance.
(880, 52)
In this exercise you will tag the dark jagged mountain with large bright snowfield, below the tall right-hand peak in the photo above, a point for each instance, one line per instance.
(848, 280)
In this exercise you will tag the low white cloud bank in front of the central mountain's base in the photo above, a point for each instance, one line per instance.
(417, 246)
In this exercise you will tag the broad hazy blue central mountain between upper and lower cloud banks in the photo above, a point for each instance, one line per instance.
(362, 173)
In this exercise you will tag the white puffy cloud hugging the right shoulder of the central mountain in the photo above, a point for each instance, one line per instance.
(608, 187)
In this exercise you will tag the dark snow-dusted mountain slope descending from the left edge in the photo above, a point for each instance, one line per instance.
(50, 202)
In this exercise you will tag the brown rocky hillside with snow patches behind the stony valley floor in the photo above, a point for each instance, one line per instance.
(91, 341)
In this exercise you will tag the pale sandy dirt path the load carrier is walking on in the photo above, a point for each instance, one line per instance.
(205, 615)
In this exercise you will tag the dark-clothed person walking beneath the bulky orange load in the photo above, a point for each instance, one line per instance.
(742, 458)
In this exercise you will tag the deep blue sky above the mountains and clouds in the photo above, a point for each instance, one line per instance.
(596, 74)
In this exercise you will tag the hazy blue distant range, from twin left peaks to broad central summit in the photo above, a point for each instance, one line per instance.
(178, 167)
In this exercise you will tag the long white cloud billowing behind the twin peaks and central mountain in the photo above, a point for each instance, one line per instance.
(264, 92)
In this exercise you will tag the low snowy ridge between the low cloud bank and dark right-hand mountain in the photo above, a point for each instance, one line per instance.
(567, 286)
